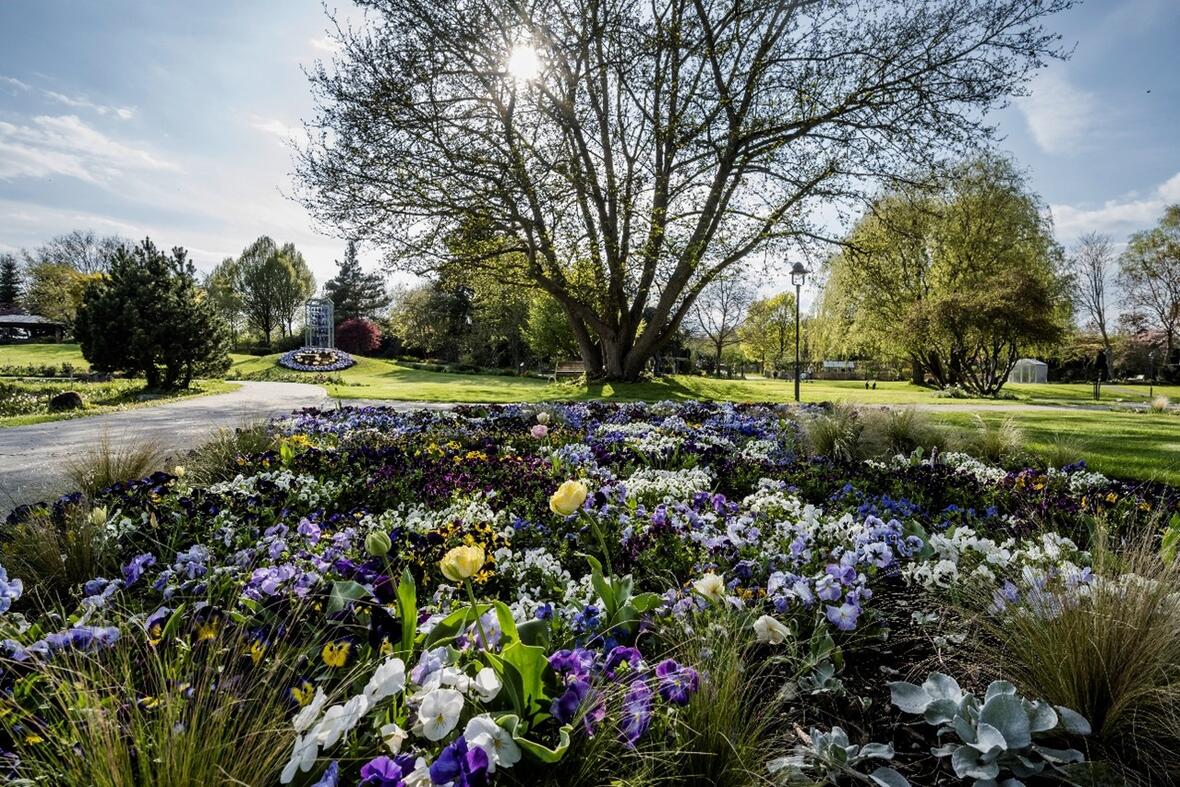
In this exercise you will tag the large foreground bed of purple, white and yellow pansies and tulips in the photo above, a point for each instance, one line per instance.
(562, 596)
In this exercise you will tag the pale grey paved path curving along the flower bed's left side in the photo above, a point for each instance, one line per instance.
(31, 457)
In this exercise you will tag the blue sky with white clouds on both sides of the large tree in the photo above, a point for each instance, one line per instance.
(172, 120)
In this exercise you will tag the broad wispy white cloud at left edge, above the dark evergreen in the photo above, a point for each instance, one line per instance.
(65, 146)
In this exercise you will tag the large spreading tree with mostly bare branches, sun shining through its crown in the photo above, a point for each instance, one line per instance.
(647, 146)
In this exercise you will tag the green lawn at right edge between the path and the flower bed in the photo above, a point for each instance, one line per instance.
(1125, 445)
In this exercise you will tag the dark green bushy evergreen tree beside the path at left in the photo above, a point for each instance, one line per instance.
(148, 317)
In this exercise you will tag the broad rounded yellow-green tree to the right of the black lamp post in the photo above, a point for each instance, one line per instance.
(962, 279)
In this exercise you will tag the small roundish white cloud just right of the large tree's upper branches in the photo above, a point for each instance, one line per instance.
(1061, 116)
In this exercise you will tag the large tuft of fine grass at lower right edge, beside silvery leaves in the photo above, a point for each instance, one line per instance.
(1113, 655)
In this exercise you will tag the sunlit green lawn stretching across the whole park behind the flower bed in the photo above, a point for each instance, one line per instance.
(1125, 444)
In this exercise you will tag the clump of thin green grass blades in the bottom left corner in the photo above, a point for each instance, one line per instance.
(226, 726)
